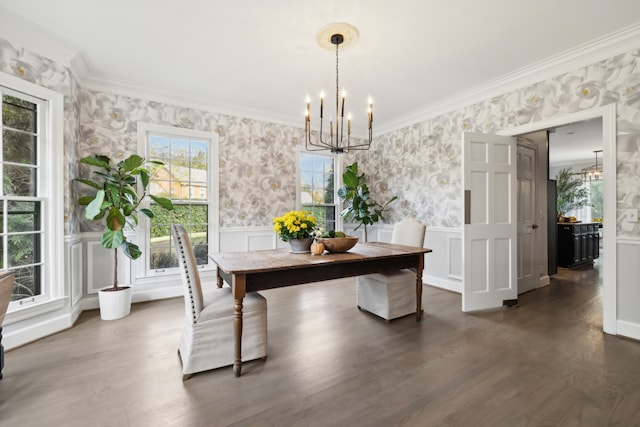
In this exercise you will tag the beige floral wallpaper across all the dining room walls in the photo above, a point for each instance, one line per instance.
(420, 163)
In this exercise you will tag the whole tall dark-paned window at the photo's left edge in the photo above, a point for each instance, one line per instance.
(30, 218)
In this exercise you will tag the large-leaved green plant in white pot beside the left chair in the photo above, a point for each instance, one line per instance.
(117, 202)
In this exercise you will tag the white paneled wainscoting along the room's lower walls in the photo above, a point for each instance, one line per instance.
(89, 267)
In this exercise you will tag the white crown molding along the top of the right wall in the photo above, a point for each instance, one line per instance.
(589, 53)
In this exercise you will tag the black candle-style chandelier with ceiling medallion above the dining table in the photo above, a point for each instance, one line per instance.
(336, 141)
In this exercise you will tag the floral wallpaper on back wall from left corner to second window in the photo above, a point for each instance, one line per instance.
(257, 180)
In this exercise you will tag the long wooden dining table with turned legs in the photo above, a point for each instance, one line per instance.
(268, 269)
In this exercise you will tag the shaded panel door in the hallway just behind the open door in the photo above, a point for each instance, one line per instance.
(527, 227)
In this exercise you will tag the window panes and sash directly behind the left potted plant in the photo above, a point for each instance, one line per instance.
(190, 163)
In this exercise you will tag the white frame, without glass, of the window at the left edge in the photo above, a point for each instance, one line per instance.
(50, 188)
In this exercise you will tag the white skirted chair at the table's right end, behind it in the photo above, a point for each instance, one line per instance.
(392, 295)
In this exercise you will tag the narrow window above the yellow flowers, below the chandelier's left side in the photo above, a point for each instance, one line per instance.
(317, 188)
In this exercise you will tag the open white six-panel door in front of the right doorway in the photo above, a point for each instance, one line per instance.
(490, 230)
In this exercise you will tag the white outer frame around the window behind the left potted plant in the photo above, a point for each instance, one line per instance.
(144, 130)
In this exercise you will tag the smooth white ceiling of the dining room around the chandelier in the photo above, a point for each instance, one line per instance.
(262, 57)
